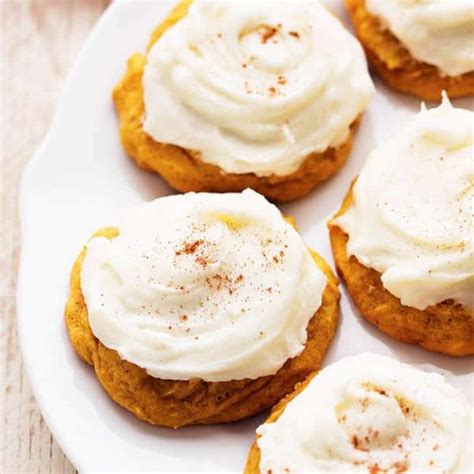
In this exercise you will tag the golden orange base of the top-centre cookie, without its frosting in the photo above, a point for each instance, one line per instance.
(184, 169)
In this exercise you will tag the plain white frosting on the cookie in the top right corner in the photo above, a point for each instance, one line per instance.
(438, 32)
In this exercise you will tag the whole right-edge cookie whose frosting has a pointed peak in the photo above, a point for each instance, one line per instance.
(403, 238)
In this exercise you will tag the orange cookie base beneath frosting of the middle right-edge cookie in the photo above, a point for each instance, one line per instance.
(446, 327)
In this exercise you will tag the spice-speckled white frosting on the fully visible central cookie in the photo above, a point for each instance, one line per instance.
(212, 286)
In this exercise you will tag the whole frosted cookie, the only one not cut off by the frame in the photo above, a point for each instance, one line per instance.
(201, 308)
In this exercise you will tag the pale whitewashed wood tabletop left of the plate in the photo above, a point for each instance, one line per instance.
(39, 40)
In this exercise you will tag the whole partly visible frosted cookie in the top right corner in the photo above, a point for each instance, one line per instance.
(419, 46)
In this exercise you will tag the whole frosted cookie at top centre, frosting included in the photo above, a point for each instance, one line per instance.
(231, 95)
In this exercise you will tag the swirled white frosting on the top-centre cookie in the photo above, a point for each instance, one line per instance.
(255, 86)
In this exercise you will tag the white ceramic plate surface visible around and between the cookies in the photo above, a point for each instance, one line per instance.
(78, 181)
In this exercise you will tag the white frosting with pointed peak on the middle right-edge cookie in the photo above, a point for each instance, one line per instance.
(411, 218)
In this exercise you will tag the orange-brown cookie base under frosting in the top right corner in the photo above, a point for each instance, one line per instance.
(397, 67)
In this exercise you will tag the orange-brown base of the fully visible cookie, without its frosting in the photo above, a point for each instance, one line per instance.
(177, 403)
